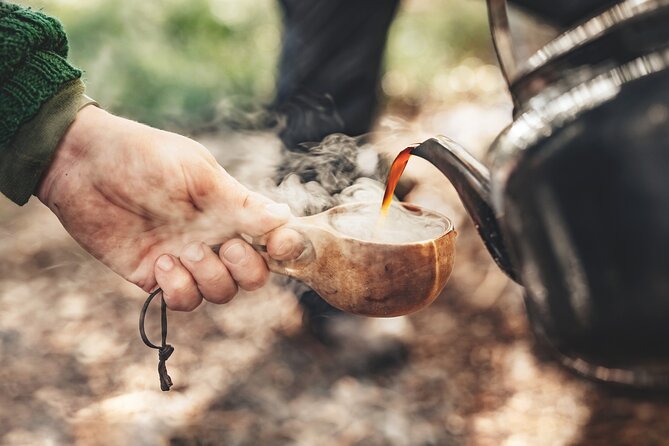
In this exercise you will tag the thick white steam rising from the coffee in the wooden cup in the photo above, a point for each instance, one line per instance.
(343, 170)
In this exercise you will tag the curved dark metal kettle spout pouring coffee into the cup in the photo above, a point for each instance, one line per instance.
(471, 180)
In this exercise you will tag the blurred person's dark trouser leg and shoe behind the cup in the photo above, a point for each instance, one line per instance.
(329, 74)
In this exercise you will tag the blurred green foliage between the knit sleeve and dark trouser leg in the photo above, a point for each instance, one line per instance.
(171, 63)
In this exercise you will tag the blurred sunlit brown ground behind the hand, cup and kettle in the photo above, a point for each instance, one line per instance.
(74, 371)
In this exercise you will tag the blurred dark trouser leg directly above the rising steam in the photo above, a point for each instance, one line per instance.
(330, 66)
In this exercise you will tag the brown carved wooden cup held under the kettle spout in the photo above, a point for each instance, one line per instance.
(366, 277)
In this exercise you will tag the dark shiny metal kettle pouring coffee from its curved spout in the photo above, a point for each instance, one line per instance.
(573, 202)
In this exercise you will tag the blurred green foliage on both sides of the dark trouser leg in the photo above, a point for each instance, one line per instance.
(174, 63)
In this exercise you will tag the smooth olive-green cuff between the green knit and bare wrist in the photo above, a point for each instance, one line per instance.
(30, 151)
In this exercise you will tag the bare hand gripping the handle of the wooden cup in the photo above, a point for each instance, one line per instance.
(149, 203)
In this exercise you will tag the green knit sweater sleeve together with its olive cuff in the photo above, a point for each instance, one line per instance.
(40, 93)
